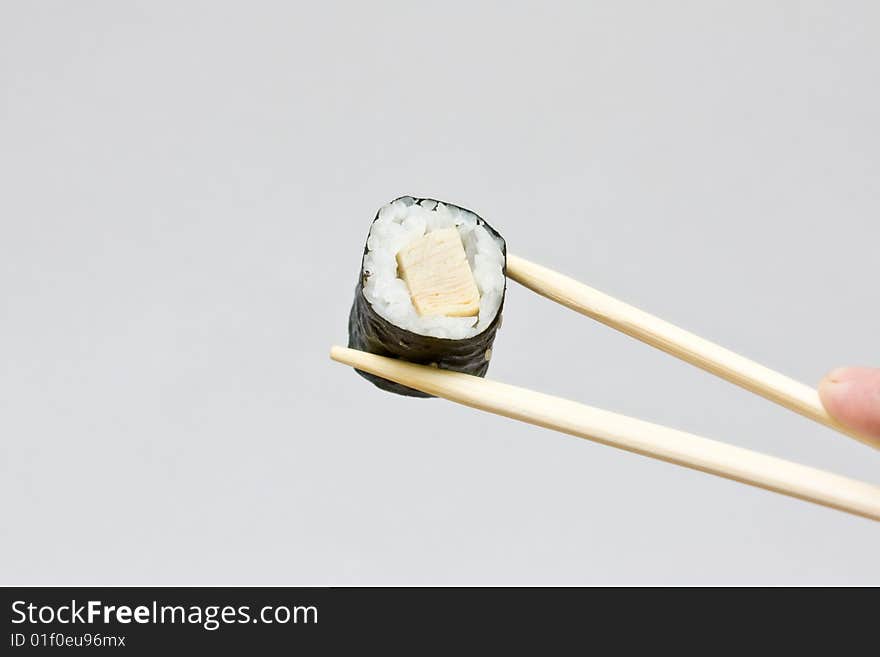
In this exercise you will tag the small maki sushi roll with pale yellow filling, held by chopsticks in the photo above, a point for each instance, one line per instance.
(430, 290)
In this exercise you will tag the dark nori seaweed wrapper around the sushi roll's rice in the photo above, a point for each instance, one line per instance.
(369, 331)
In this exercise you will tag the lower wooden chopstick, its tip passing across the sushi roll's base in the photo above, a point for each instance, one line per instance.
(738, 464)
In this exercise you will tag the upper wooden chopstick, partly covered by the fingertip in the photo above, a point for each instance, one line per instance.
(691, 348)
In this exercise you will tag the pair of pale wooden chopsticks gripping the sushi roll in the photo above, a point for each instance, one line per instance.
(634, 435)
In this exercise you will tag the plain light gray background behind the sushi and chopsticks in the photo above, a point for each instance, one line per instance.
(186, 188)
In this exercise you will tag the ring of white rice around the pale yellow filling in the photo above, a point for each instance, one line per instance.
(404, 221)
